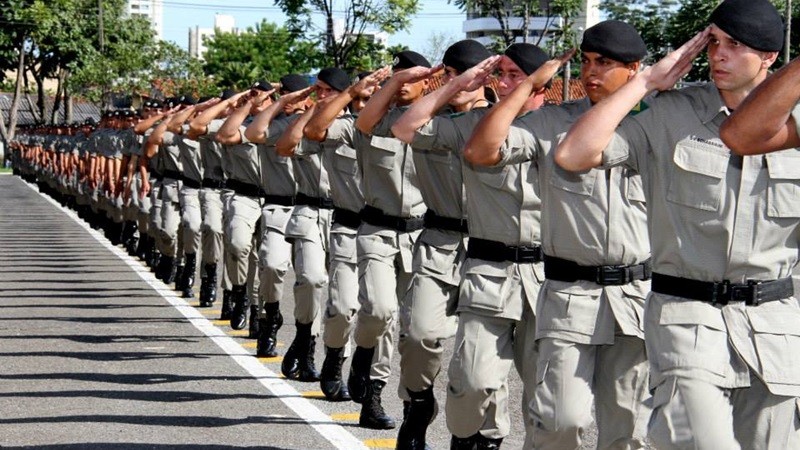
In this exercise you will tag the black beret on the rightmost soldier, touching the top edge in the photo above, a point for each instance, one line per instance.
(755, 23)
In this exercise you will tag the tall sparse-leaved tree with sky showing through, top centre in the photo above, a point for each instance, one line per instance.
(349, 48)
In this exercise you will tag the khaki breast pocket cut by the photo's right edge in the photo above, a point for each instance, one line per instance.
(784, 184)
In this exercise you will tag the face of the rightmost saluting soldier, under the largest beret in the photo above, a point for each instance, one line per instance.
(734, 66)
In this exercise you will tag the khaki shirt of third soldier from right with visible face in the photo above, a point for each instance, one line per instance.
(503, 205)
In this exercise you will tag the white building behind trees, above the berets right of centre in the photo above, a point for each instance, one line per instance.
(484, 29)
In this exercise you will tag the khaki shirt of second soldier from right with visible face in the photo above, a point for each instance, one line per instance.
(594, 218)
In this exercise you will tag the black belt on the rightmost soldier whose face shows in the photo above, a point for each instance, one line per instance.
(754, 292)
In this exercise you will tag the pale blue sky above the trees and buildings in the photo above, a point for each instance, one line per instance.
(435, 16)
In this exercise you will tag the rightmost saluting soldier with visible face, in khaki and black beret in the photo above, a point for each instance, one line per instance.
(721, 321)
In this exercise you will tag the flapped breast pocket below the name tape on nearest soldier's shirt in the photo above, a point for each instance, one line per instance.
(697, 177)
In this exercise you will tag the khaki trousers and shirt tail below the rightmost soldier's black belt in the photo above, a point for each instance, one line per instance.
(705, 402)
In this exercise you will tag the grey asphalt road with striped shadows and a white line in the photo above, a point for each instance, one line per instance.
(96, 353)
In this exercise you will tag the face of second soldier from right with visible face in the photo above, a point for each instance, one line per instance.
(602, 76)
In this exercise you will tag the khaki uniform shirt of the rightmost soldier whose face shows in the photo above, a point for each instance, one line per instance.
(715, 216)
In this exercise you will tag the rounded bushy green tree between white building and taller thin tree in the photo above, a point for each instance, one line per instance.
(266, 51)
